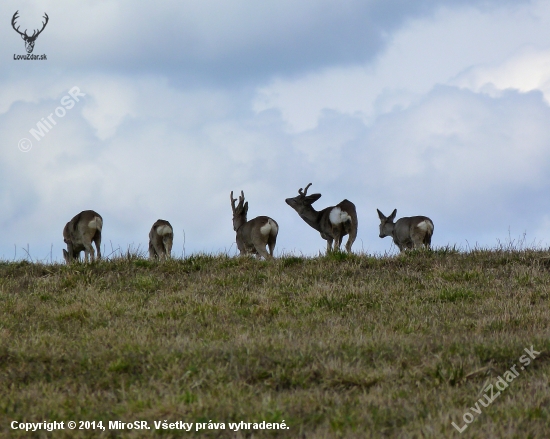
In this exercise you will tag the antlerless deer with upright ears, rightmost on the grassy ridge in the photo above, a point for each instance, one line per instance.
(407, 232)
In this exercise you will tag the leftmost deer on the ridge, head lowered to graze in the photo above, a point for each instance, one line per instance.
(79, 233)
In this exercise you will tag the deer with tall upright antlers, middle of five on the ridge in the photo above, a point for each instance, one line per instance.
(253, 235)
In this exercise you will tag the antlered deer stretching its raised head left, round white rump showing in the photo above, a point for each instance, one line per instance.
(333, 223)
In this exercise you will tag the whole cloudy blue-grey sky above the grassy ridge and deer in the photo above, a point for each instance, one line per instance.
(433, 107)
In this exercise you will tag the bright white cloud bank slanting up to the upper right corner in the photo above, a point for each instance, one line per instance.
(427, 51)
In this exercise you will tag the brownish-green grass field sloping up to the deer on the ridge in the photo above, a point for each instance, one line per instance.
(336, 346)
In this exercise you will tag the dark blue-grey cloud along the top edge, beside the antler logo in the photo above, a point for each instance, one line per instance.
(217, 41)
